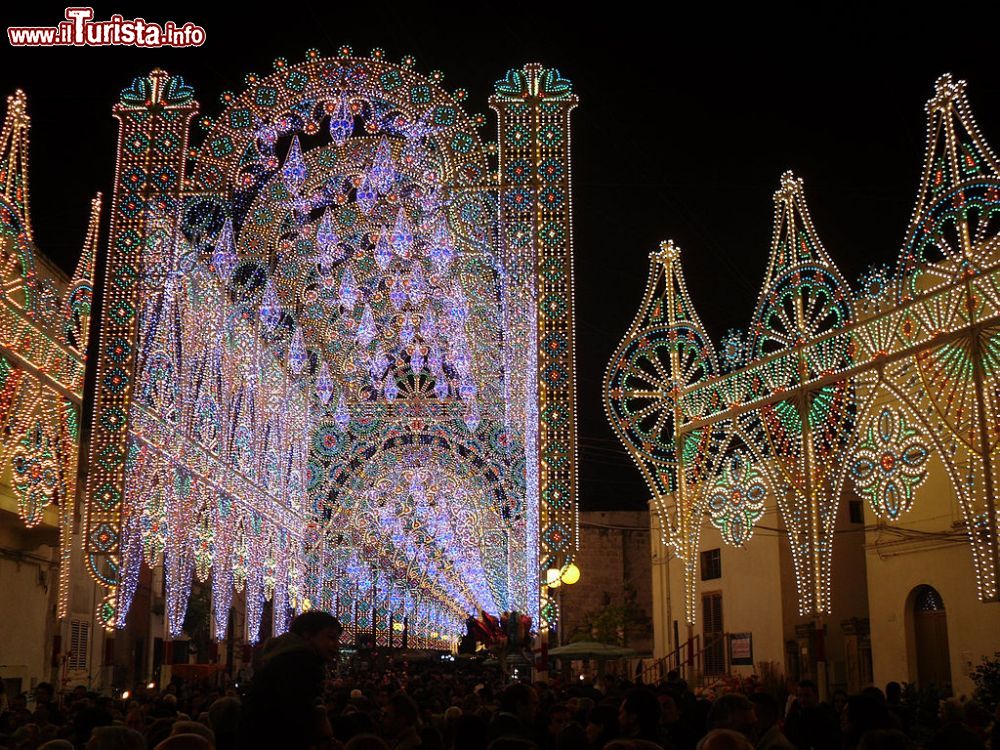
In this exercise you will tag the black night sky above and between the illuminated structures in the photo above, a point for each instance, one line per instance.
(683, 129)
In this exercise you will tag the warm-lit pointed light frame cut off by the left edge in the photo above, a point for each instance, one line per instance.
(43, 342)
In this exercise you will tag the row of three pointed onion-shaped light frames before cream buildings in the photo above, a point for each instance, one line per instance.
(830, 384)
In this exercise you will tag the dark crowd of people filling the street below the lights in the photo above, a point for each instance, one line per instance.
(294, 701)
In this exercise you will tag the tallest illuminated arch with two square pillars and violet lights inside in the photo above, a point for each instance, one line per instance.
(335, 364)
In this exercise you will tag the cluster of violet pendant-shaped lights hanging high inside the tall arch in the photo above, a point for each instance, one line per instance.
(383, 286)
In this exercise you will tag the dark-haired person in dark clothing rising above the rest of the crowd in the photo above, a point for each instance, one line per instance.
(280, 708)
